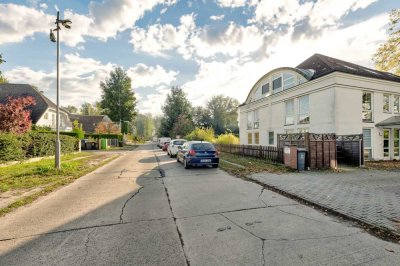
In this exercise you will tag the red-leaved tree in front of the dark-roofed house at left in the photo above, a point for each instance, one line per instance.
(14, 117)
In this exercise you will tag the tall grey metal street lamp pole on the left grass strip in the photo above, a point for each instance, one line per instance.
(66, 24)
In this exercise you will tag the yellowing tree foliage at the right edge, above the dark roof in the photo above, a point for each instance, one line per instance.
(387, 56)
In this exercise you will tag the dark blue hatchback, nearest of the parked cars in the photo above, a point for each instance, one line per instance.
(198, 153)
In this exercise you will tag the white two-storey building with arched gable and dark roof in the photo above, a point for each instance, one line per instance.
(325, 95)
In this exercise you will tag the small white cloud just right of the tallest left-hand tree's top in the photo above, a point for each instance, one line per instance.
(148, 76)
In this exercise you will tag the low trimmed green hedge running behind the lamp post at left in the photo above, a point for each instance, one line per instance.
(33, 144)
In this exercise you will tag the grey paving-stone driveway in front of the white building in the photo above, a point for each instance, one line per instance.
(368, 195)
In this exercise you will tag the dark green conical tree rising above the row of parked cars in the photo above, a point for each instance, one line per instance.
(176, 104)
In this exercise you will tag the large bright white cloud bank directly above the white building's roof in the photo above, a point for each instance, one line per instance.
(236, 76)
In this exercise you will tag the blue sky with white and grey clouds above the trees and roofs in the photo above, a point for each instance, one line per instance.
(206, 47)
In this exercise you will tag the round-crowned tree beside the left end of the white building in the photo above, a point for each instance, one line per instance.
(223, 112)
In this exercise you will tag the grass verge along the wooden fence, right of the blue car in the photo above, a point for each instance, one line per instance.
(249, 165)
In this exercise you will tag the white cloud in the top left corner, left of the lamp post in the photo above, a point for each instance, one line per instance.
(23, 22)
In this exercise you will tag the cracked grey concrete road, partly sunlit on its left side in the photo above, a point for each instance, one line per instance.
(146, 209)
